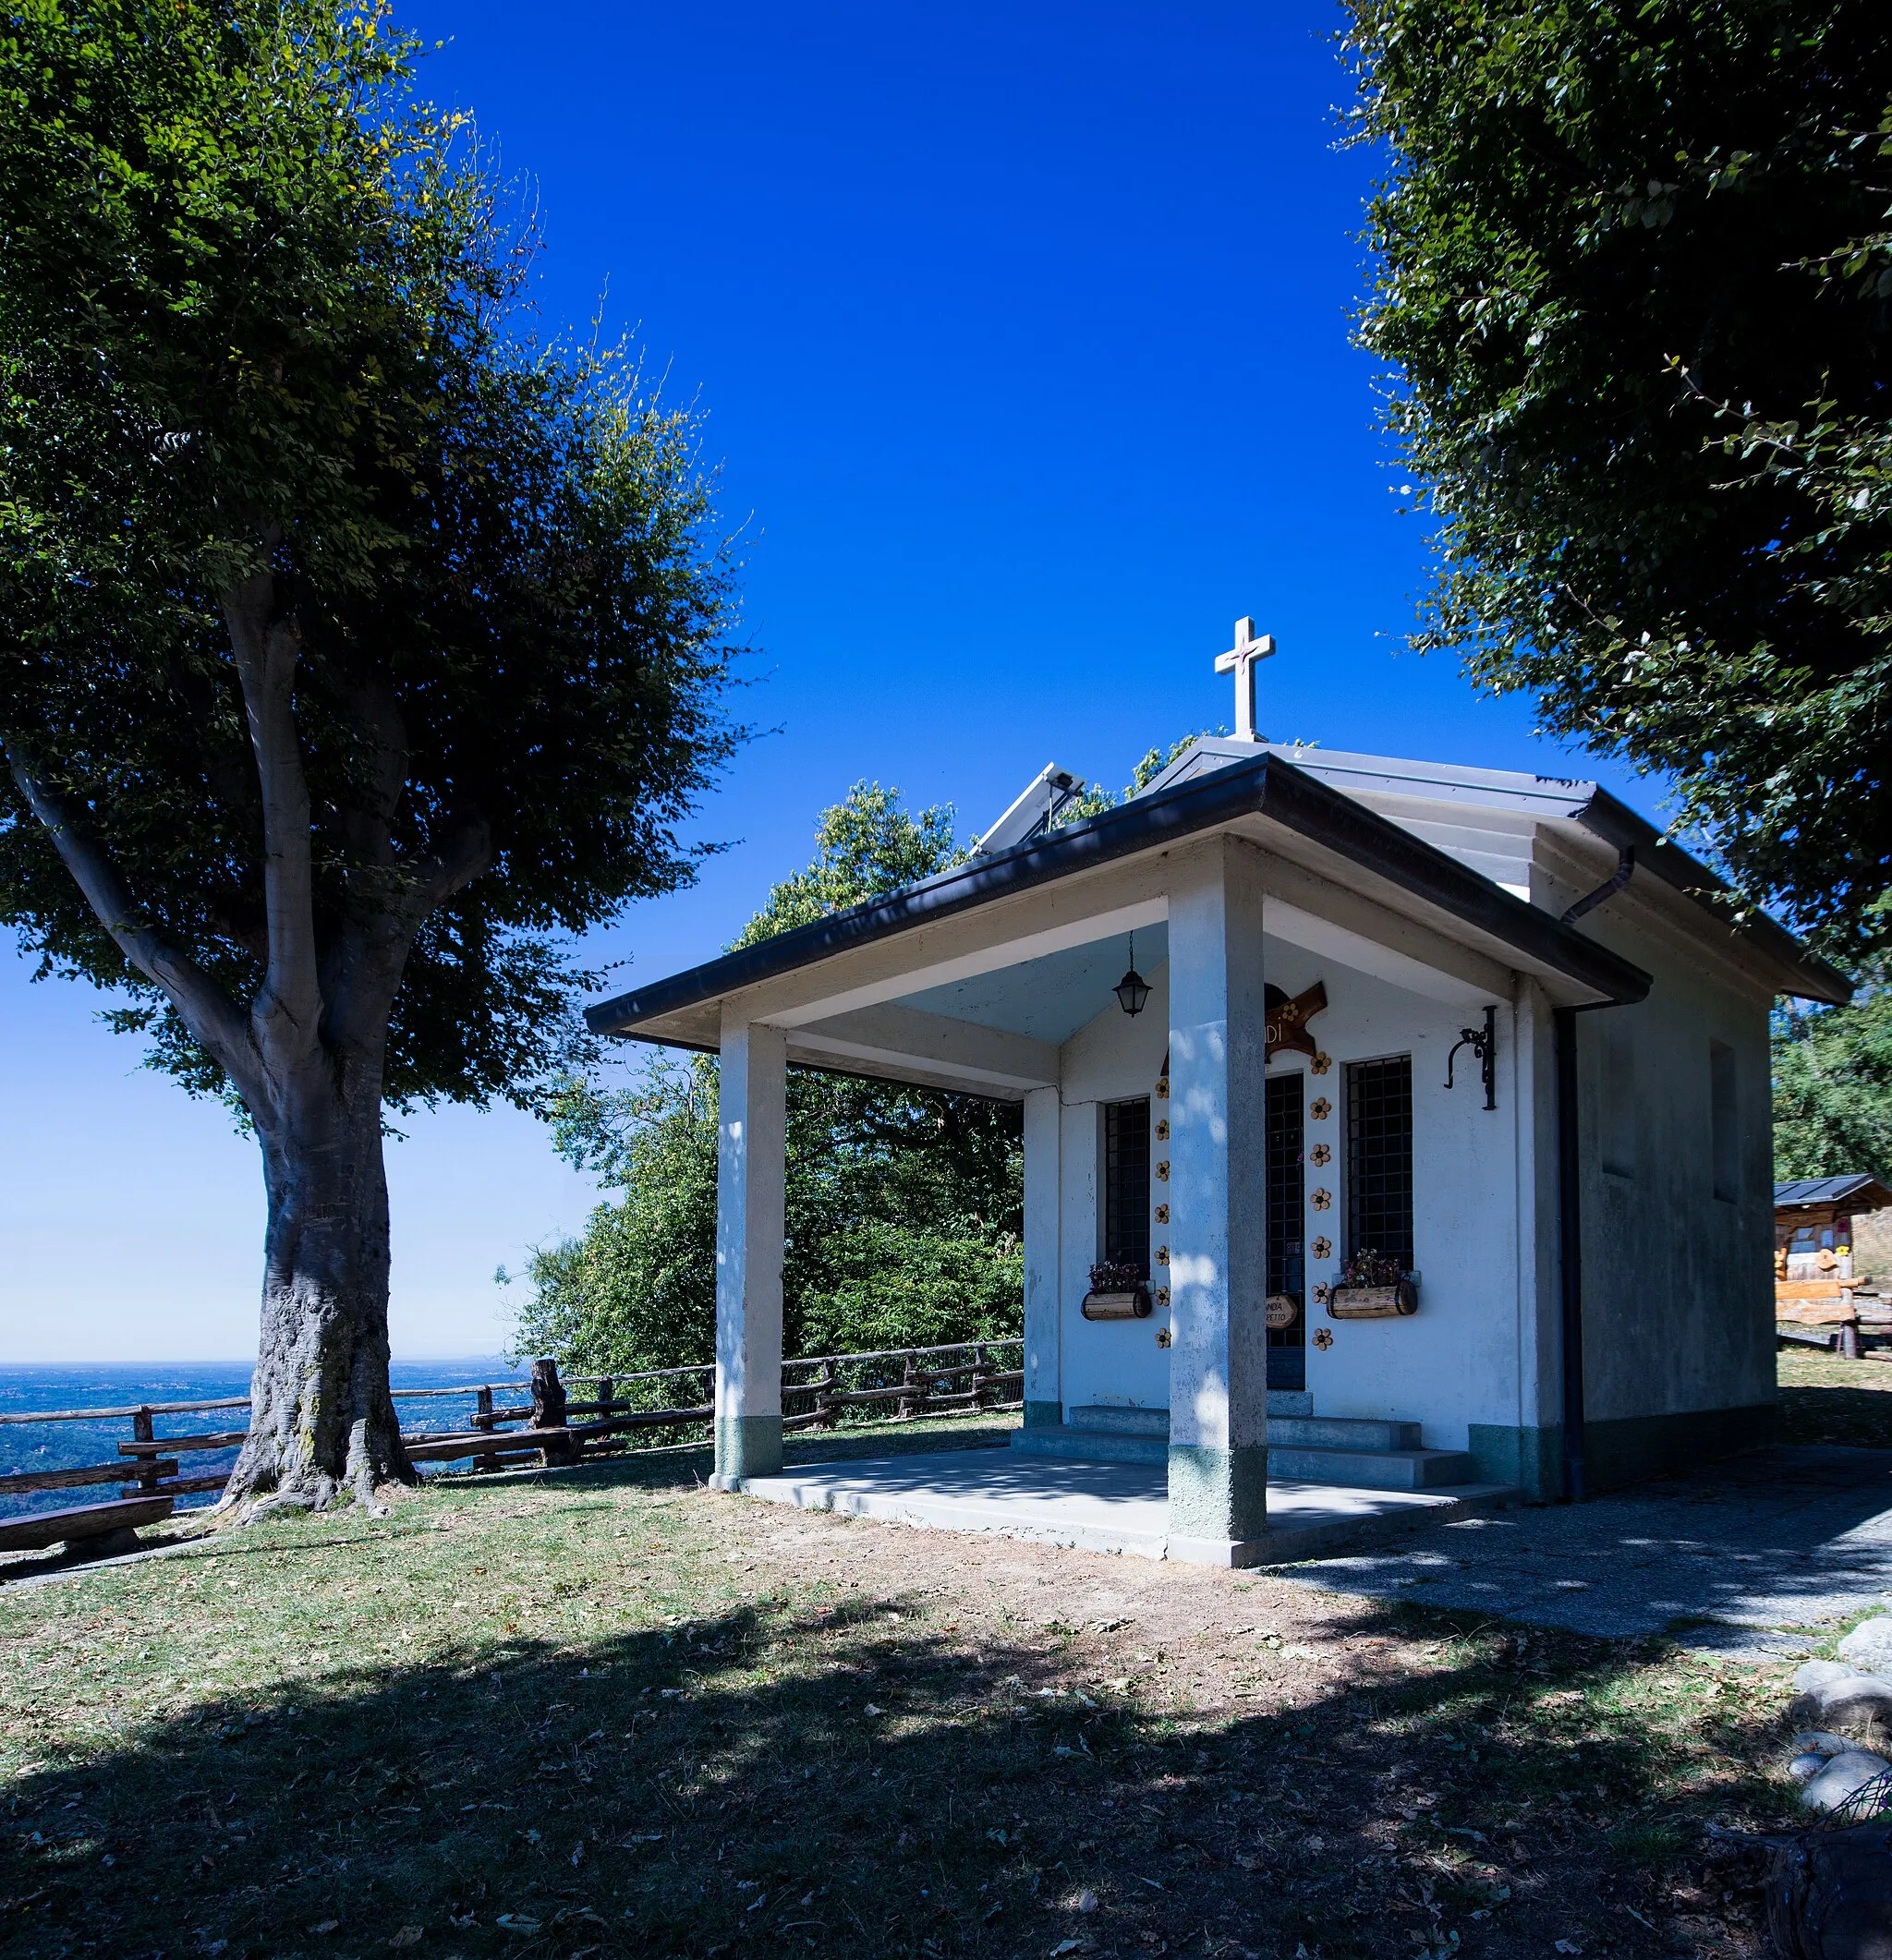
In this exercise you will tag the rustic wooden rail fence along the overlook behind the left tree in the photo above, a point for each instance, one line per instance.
(515, 1422)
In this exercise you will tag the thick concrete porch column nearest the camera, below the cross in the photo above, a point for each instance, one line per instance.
(1219, 1402)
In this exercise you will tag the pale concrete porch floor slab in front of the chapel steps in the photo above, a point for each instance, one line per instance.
(1103, 1506)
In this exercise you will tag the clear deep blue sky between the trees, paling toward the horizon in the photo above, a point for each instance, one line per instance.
(1022, 340)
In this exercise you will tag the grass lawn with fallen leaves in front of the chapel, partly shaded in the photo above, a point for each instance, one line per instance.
(607, 1712)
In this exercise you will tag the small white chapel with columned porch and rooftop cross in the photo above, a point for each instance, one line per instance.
(1391, 1124)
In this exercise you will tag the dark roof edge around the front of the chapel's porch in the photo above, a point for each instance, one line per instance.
(1266, 787)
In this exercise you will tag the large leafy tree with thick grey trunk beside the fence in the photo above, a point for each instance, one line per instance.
(358, 650)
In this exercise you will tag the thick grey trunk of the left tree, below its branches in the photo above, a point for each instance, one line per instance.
(323, 1424)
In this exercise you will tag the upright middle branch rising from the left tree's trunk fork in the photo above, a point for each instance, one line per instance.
(268, 644)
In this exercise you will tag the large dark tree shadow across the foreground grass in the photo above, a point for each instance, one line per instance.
(852, 1783)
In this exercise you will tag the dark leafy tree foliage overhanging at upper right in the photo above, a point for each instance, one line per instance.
(1636, 285)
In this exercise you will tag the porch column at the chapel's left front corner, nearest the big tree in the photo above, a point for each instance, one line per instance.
(750, 1177)
